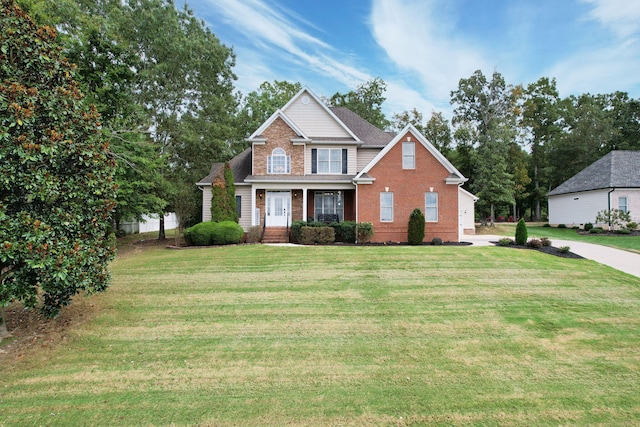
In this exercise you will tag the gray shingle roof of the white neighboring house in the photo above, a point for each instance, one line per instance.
(617, 169)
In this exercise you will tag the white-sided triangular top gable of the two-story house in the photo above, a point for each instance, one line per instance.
(314, 119)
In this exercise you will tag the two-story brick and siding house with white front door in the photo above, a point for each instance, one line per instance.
(313, 162)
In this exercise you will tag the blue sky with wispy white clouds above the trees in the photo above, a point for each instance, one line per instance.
(422, 48)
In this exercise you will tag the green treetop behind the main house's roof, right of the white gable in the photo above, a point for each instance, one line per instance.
(366, 101)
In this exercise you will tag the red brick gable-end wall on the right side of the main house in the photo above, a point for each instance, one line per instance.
(409, 188)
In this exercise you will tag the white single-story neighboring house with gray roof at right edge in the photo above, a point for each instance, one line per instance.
(613, 182)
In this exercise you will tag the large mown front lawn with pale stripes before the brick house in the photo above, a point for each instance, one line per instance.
(259, 335)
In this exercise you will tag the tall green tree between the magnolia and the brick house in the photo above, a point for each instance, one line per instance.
(185, 83)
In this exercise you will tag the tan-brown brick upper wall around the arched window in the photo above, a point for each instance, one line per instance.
(279, 134)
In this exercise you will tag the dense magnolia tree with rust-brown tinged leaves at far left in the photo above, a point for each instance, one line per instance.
(57, 190)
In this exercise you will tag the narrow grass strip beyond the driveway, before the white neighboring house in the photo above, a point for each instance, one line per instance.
(625, 242)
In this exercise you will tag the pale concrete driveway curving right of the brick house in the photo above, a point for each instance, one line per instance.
(627, 262)
